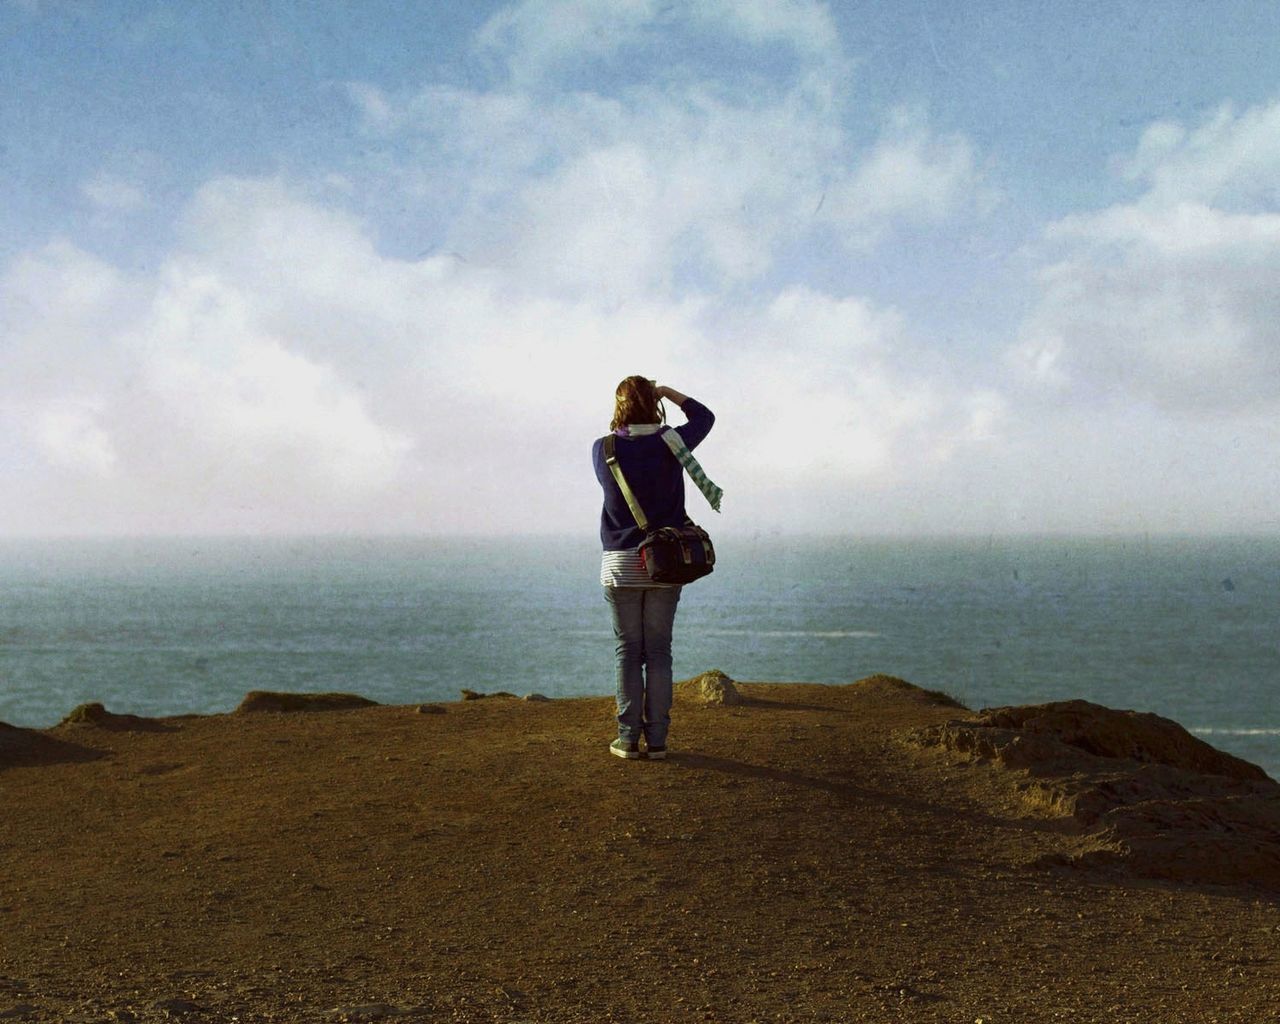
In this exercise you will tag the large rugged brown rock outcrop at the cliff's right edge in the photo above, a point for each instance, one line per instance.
(1137, 792)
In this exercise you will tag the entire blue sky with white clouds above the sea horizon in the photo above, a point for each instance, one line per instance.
(939, 268)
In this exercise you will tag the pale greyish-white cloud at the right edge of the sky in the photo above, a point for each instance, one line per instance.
(1171, 299)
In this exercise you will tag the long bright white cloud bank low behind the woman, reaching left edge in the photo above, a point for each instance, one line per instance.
(277, 371)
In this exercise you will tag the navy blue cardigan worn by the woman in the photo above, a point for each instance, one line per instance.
(655, 476)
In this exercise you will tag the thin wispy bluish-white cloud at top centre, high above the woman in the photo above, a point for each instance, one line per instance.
(689, 181)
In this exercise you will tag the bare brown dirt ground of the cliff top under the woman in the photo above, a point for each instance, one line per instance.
(793, 861)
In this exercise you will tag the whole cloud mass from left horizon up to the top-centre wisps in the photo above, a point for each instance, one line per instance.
(280, 369)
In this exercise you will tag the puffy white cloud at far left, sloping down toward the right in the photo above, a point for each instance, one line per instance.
(177, 385)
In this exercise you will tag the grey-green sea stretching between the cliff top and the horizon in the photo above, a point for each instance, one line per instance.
(1186, 628)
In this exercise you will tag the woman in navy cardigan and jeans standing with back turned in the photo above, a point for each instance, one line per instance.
(644, 612)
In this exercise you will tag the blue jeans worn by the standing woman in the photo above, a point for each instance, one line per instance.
(643, 620)
